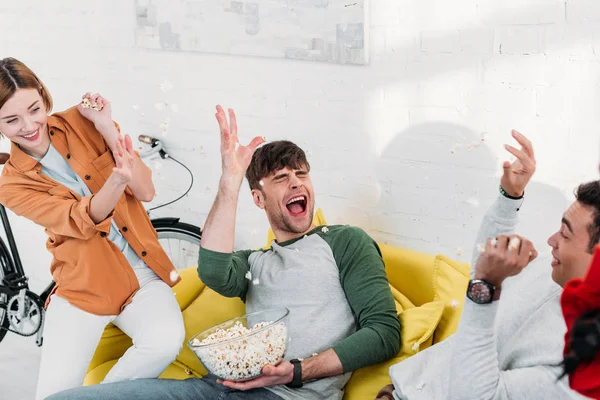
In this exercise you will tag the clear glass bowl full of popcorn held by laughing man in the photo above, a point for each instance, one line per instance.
(238, 349)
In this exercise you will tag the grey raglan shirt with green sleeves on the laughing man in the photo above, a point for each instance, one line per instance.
(334, 284)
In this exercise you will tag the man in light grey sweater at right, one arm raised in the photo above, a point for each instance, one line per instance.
(510, 339)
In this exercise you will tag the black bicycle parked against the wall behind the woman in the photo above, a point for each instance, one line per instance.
(22, 311)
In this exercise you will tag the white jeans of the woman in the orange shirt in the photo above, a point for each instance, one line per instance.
(153, 321)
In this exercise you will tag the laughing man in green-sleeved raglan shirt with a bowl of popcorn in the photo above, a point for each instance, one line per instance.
(331, 278)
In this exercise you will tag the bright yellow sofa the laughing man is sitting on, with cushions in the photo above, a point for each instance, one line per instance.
(429, 293)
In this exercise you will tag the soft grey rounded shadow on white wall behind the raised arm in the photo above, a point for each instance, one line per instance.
(437, 181)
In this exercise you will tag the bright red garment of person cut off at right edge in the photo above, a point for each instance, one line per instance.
(580, 296)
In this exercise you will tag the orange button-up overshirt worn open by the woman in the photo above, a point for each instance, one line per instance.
(89, 270)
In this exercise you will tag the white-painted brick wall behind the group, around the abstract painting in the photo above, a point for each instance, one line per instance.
(396, 146)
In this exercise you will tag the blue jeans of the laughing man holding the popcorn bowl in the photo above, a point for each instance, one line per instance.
(206, 388)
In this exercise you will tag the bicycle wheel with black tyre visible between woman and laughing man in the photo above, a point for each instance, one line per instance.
(180, 241)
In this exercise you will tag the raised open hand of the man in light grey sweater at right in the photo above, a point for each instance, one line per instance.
(518, 173)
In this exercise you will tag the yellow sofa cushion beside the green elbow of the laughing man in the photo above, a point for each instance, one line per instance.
(418, 325)
